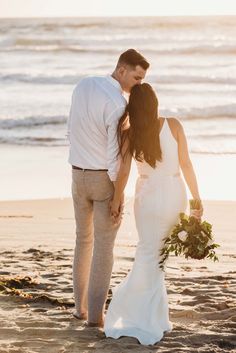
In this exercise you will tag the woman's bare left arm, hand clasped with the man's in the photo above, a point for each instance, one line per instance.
(116, 204)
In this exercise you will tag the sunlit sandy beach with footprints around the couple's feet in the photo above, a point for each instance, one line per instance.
(37, 240)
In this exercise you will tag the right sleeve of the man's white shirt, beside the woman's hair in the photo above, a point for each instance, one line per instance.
(113, 160)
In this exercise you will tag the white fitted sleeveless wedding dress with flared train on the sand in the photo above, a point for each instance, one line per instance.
(139, 307)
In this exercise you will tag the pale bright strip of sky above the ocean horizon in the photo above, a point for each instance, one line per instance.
(77, 8)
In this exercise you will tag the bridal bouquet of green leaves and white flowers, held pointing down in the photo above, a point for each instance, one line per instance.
(191, 238)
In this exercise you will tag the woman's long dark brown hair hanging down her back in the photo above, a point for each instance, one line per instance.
(140, 125)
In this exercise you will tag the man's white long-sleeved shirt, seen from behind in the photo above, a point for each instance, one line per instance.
(96, 107)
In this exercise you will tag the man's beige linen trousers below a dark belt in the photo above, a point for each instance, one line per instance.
(95, 236)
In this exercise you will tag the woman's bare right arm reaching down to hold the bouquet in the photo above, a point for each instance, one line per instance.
(186, 164)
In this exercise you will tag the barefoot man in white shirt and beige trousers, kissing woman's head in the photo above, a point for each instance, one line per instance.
(97, 105)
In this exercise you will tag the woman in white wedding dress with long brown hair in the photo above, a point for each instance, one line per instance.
(139, 307)
